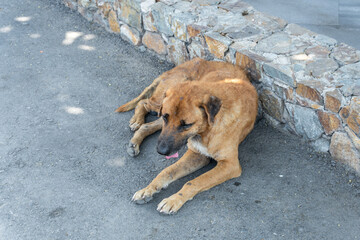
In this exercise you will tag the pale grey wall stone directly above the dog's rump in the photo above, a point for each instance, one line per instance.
(177, 52)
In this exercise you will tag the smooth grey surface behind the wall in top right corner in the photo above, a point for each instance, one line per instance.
(338, 19)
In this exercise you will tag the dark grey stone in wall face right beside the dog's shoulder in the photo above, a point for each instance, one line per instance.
(271, 104)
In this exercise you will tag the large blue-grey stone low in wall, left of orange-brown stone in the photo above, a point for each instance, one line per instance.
(306, 121)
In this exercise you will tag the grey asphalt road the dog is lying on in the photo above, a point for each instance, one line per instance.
(65, 173)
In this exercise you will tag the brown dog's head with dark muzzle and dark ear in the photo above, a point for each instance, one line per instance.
(186, 111)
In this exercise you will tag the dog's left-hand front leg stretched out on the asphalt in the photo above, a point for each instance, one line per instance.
(189, 163)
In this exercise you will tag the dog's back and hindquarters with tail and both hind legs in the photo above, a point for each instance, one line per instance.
(151, 98)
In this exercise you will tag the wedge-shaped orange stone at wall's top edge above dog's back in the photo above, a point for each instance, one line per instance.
(217, 44)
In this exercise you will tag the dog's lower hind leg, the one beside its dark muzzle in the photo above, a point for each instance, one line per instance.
(144, 131)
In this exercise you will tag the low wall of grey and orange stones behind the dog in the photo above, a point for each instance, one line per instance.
(309, 84)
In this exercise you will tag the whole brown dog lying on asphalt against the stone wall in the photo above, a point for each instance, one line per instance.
(210, 105)
